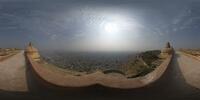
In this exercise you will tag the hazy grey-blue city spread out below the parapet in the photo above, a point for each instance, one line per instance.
(82, 61)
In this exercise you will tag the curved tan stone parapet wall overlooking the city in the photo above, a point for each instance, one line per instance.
(68, 80)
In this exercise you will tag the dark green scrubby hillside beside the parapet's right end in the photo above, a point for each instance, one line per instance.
(144, 64)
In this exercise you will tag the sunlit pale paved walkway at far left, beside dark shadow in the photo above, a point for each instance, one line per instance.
(12, 73)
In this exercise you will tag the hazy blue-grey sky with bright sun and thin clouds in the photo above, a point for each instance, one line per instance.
(100, 25)
